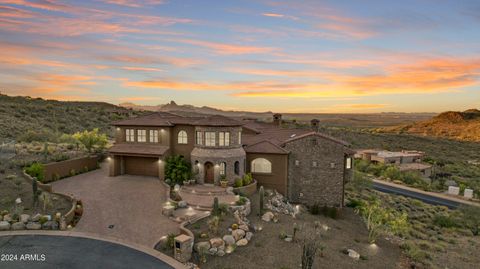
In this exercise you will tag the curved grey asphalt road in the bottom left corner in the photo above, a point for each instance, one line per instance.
(72, 253)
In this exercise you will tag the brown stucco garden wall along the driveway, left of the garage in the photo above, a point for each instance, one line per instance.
(57, 170)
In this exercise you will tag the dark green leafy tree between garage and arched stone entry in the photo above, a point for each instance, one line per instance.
(177, 170)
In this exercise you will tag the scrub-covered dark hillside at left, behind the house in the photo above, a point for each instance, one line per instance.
(22, 116)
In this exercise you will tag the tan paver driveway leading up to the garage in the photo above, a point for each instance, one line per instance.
(132, 204)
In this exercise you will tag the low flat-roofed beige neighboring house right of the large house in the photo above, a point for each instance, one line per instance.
(405, 160)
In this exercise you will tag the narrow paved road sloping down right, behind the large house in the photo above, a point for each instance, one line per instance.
(419, 196)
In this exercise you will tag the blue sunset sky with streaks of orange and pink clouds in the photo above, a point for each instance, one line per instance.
(285, 56)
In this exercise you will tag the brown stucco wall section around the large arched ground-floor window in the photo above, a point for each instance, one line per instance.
(278, 178)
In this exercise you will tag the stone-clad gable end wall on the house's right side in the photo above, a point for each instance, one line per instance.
(323, 183)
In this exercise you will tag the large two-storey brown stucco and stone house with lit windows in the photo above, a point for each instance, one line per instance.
(306, 166)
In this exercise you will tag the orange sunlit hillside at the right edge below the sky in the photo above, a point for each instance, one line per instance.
(451, 124)
